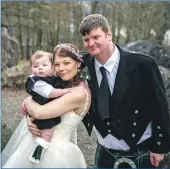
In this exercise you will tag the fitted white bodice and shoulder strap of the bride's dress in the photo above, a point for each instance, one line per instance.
(68, 125)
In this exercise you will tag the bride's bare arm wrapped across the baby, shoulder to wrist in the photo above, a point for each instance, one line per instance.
(57, 107)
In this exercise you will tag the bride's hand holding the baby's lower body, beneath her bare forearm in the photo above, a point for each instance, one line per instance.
(32, 127)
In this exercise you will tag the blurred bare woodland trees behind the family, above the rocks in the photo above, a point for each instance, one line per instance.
(42, 25)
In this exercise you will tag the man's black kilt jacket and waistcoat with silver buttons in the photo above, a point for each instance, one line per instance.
(138, 98)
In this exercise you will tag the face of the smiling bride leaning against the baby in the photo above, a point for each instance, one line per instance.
(65, 67)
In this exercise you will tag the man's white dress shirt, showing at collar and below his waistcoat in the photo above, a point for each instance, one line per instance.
(111, 67)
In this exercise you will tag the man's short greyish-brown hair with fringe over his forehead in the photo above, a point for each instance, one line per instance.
(93, 21)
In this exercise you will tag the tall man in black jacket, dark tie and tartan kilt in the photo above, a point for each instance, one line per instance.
(129, 108)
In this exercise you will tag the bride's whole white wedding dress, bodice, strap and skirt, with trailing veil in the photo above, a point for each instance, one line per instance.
(62, 153)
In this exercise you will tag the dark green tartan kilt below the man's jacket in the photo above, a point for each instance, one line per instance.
(107, 158)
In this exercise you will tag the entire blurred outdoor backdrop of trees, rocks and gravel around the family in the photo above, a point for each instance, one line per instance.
(30, 26)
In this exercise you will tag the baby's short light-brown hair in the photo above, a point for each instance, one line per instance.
(38, 54)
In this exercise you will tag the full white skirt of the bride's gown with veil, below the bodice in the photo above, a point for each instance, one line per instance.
(58, 155)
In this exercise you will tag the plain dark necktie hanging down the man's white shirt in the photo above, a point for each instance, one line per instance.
(103, 95)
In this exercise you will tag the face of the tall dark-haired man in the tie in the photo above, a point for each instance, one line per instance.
(97, 41)
